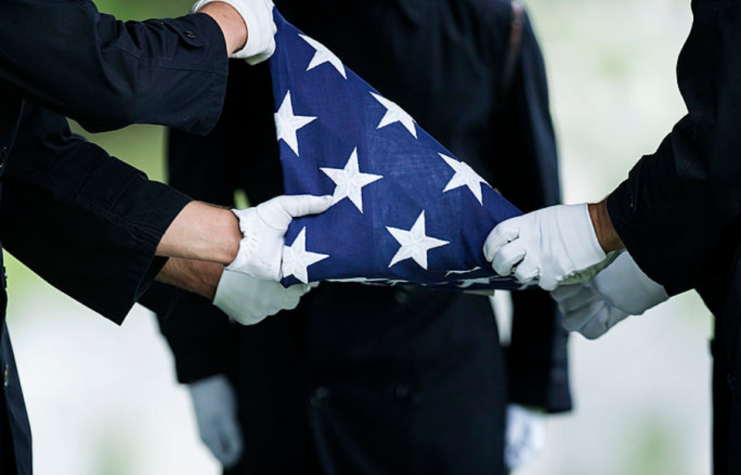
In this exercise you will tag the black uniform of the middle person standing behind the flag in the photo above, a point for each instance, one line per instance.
(370, 380)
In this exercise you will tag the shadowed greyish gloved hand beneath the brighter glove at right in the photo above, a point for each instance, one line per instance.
(622, 289)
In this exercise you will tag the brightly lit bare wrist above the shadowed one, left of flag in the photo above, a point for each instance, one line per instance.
(202, 232)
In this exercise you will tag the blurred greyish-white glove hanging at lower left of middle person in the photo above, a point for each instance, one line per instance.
(215, 406)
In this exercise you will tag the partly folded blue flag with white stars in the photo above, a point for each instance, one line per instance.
(405, 211)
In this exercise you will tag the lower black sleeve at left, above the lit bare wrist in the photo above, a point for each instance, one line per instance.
(84, 221)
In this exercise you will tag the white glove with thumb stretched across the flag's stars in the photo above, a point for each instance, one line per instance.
(264, 227)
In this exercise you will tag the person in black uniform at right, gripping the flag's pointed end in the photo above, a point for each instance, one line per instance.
(678, 216)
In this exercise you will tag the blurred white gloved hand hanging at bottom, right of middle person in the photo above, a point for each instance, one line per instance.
(525, 436)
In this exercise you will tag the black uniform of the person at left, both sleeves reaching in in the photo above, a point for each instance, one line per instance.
(86, 222)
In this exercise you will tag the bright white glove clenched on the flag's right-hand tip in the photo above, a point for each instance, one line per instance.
(551, 245)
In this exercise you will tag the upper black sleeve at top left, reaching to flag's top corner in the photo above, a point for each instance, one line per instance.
(67, 57)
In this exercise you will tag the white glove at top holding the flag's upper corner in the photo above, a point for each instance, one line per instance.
(261, 29)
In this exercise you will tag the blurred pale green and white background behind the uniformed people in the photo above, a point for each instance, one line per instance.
(103, 400)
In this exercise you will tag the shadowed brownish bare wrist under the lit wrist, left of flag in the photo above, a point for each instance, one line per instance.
(198, 277)
